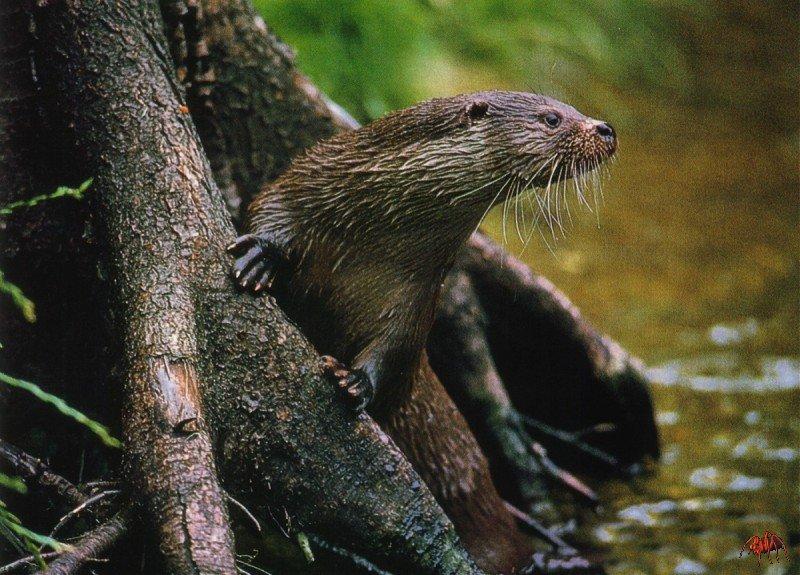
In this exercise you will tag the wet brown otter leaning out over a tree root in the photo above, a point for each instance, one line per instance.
(355, 238)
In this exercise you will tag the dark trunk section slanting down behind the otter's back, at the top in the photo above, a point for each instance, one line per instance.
(257, 111)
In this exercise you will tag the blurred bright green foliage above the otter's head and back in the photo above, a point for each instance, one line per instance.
(372, 56)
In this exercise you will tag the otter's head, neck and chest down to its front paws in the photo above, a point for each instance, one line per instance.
(369, 221)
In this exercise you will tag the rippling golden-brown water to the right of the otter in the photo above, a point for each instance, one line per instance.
(694, 268)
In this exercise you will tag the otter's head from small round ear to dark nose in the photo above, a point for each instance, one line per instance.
(535, 141)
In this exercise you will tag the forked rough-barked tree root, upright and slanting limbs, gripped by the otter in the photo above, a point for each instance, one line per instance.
(190, 341)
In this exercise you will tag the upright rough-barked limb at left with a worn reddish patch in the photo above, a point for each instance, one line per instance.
(146, 170)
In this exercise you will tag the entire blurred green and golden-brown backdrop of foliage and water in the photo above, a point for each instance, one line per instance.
(692, 261)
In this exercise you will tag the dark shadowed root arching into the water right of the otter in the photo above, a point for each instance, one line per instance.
(562, 370)
